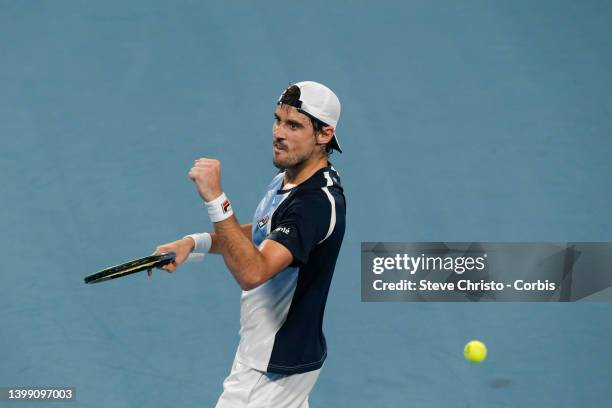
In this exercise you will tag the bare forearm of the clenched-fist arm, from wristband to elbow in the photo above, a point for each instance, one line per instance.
(243, 259)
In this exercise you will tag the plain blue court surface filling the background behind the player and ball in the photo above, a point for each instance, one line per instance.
(461, 121)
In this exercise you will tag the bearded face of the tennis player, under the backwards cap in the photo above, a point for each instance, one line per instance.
(293, 138)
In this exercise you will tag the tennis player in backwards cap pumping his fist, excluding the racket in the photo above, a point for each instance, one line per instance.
(285, 258)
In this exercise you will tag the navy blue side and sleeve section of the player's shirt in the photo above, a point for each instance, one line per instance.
(300, 223)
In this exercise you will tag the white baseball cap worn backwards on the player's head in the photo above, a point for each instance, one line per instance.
(320, 102)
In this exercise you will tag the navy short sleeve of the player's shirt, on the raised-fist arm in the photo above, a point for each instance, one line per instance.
(303, 224)
